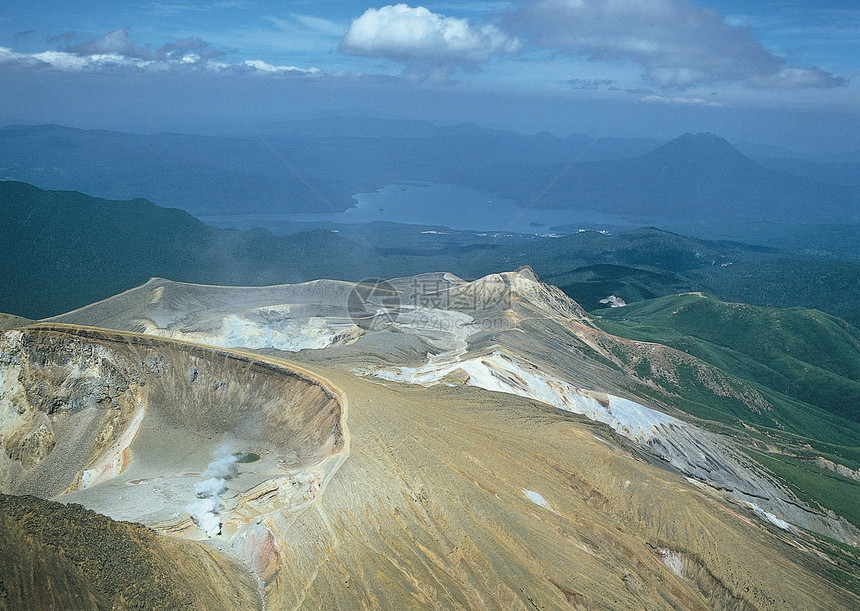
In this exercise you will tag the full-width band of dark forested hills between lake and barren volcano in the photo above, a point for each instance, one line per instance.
(63, 250)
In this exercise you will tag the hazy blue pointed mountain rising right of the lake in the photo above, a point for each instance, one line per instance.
(703, 178)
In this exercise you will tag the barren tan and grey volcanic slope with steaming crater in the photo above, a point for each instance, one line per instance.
(478, 445)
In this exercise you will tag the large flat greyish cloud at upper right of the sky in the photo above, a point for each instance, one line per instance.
(677, 42)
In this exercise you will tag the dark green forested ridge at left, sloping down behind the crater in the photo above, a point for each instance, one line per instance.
(62, 250)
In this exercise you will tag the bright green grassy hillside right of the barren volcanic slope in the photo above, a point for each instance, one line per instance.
(806, 363)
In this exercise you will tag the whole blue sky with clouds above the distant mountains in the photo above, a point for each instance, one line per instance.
(782, 72)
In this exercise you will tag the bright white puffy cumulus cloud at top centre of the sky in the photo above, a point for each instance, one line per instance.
(417, 36)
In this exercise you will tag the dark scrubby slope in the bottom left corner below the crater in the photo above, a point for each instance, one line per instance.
(55, 556)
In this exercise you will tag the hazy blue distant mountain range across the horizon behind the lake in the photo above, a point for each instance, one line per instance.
(692, 178)
